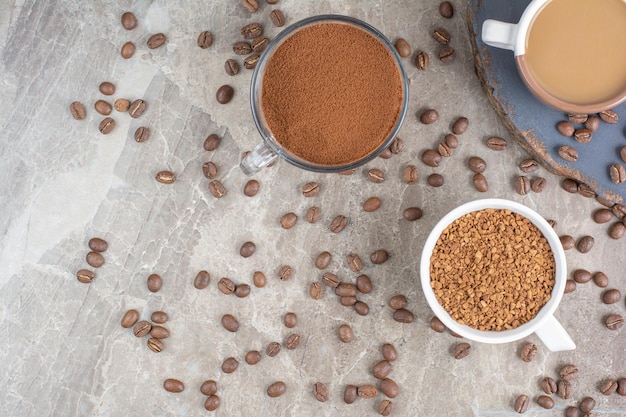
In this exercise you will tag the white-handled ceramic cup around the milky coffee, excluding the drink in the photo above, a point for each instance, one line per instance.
(514, 36)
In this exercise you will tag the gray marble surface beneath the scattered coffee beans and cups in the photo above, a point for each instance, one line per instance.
(63, 350)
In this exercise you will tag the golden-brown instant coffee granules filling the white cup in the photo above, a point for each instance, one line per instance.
(492, 270)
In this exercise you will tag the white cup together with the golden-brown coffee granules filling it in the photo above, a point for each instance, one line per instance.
(494, 271)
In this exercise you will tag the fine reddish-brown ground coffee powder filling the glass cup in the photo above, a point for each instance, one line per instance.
(331, 94)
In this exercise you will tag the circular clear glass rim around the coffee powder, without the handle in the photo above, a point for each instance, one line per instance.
(257, 76)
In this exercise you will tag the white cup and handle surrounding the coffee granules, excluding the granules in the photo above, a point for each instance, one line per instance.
(544, 325)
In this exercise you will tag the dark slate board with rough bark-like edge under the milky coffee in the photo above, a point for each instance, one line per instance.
(533, 124)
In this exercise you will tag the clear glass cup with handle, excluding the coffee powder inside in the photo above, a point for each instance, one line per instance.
(270, 149)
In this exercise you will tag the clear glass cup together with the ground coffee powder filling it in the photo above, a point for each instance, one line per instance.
(327, 95)
